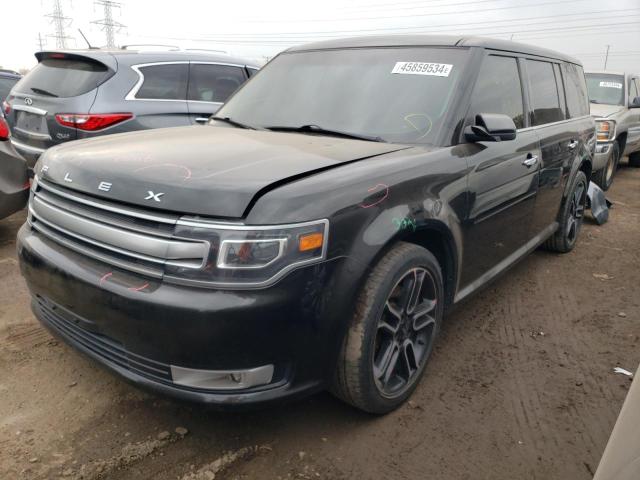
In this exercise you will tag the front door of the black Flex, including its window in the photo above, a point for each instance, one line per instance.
(503, 177)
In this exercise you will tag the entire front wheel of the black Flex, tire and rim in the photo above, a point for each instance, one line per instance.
(398, 315)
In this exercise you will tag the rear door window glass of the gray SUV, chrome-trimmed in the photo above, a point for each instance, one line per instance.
(214, 83)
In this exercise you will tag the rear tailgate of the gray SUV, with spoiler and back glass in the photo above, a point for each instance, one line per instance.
(60, 83)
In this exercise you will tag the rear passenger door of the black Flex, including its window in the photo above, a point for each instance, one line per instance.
(561, 138)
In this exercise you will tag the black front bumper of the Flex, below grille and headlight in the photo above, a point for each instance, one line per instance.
(141, 332)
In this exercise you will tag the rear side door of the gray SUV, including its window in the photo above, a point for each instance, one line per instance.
(210, 85)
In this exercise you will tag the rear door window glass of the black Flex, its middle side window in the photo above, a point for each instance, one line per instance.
(545, 100)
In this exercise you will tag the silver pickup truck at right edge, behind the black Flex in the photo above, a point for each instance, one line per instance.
(615, 104)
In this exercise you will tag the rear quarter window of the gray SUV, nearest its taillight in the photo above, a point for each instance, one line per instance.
(164, 82)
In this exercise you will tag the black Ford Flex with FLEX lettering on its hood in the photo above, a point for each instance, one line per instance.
(313, 235)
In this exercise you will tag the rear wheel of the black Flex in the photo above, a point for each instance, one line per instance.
(571, 217)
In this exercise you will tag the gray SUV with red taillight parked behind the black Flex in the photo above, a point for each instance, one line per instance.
(79, 94)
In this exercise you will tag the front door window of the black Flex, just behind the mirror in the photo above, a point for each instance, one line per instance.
(498, 89)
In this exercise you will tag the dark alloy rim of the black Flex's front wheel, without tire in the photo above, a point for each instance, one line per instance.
(406, 332)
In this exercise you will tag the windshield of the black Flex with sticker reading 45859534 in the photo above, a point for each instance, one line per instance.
(395, 94)
